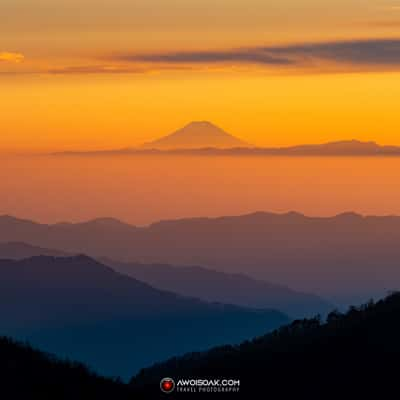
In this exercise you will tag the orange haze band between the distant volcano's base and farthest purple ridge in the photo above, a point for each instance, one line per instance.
(141, 190)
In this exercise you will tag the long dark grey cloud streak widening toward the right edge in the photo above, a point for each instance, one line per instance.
(369, 52)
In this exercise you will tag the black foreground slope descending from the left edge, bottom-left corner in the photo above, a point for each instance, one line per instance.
(29, 374)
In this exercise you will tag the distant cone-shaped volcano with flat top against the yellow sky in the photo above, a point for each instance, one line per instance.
(195, 135)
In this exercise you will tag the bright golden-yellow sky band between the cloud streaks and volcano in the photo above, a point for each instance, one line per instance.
(73, 113)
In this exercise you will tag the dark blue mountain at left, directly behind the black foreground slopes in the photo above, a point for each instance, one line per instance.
(78, 308)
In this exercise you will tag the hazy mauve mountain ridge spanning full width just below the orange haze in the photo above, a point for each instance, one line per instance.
(322, 255)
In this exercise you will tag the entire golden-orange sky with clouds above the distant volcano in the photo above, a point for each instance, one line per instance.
(115, 73)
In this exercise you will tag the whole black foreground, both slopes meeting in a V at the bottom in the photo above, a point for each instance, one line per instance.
(353, 353)
